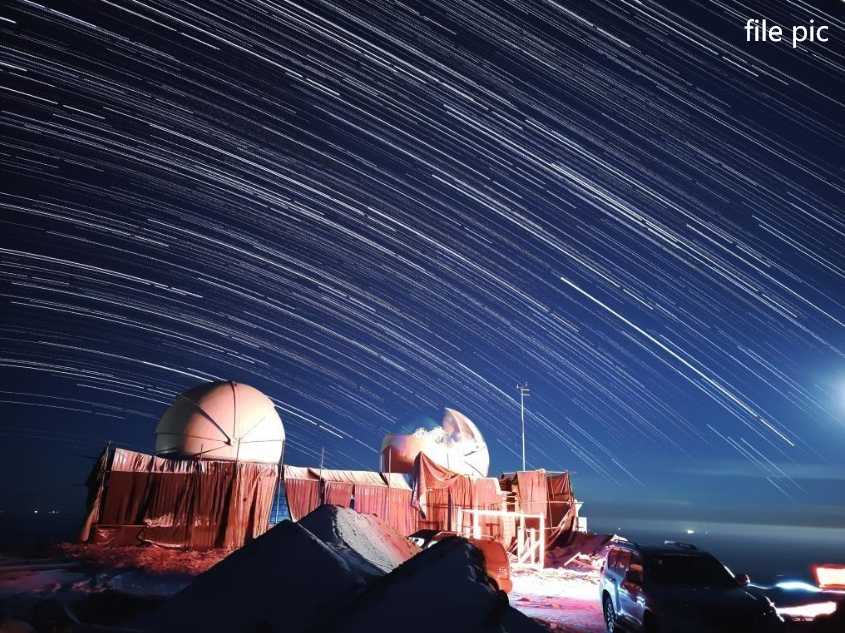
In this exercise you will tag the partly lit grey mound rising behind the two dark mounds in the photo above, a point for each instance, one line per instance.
(368, 544)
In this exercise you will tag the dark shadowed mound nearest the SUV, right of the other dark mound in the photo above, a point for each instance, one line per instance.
(443, 589)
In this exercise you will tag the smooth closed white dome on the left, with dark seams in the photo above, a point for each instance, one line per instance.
(222, 420)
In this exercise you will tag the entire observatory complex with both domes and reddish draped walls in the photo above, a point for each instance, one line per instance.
(216, 472)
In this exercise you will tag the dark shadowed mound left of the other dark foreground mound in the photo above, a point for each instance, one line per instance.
(282, 581)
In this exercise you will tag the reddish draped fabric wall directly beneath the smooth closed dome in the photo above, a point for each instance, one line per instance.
(183, 503)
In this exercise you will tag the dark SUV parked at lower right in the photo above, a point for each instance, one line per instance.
(678, 588)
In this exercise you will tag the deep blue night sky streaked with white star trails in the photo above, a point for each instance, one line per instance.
(373, 210)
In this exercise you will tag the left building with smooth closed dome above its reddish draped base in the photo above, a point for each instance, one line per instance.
(210, 483)
